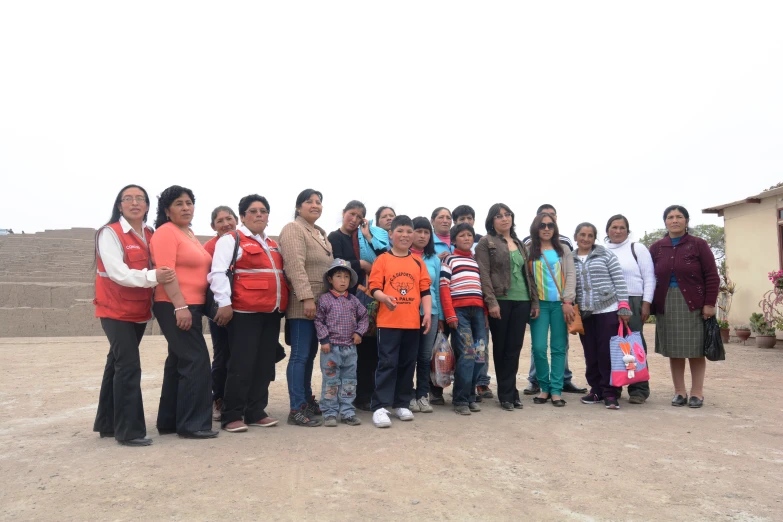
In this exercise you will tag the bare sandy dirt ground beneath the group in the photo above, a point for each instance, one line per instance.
(647, 462)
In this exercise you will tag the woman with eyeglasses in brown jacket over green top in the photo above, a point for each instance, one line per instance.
(510, 294)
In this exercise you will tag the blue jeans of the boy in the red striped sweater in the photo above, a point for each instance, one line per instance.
(470, 330)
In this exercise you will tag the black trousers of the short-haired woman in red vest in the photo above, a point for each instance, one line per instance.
(253, 340)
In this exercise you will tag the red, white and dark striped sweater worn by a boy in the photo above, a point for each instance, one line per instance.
(460, 284)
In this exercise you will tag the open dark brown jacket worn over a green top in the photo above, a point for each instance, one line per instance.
(494, 262)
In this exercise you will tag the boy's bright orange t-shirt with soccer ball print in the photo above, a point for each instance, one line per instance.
(404, 278)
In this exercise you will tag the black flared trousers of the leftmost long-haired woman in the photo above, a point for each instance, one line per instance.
(120, 408)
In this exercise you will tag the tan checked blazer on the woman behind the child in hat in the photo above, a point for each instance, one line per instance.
(307, 255)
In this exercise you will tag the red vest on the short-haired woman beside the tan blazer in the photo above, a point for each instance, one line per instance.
(259, 283)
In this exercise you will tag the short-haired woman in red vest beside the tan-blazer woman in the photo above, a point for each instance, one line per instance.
(259, 296)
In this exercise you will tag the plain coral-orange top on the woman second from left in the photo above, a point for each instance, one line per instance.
(170, 247)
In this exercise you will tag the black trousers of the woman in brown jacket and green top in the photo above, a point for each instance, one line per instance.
(508, 334)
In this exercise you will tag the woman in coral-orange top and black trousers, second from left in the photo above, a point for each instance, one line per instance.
(185, 398)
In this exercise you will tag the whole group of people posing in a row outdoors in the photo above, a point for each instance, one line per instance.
(373, 297)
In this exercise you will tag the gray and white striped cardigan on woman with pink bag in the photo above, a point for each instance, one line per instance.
(599, 281)
